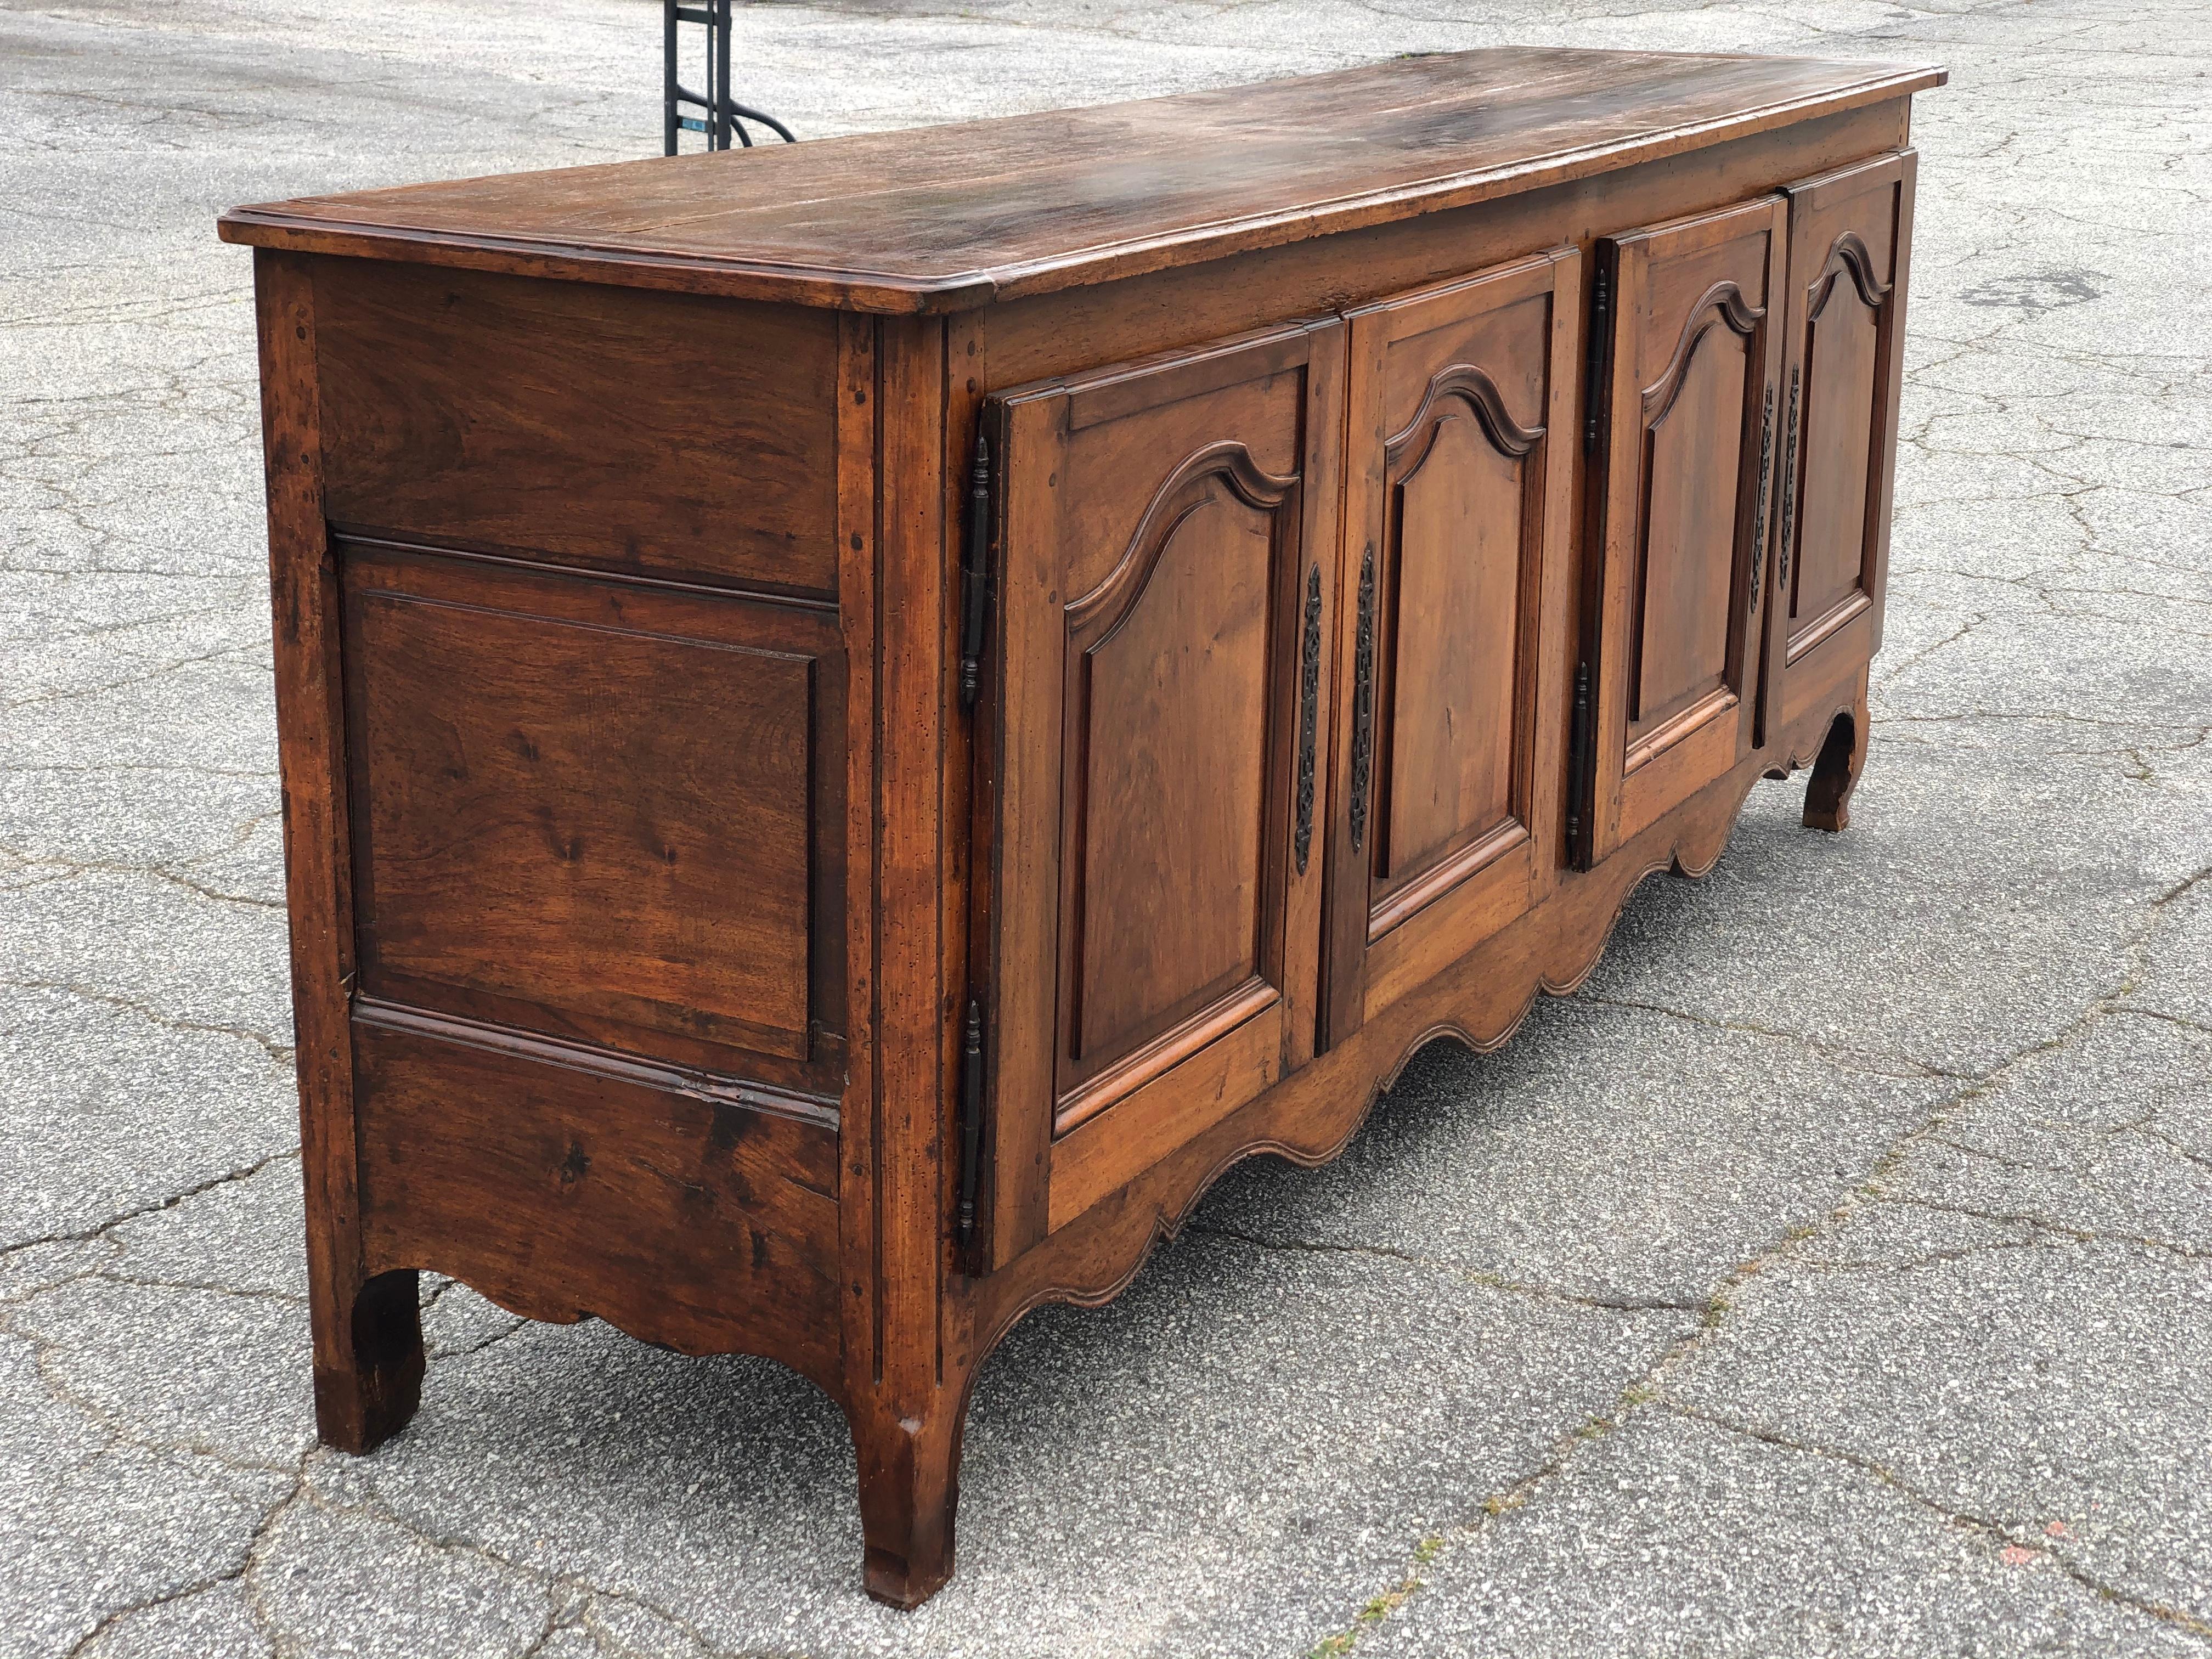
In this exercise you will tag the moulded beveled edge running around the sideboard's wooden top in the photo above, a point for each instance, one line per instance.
(304, 227)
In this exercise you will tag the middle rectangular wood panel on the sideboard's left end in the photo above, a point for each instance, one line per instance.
(589, 811)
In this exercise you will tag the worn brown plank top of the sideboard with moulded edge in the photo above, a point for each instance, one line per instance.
(950, 218)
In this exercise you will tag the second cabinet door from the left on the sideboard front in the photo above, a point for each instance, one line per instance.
(1448, 815)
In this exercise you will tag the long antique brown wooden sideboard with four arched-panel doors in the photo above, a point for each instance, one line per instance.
(862, 720)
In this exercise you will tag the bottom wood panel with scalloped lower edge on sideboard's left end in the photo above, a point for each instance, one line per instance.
(707, 1224)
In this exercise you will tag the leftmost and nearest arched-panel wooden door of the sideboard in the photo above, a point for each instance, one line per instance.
(1165, 612)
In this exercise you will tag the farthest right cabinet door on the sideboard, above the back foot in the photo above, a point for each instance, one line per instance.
(1850, 240)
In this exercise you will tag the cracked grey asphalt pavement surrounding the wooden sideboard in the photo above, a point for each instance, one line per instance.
(1830, 1277)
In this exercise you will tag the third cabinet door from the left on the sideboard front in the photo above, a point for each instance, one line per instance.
(1689, 382)
